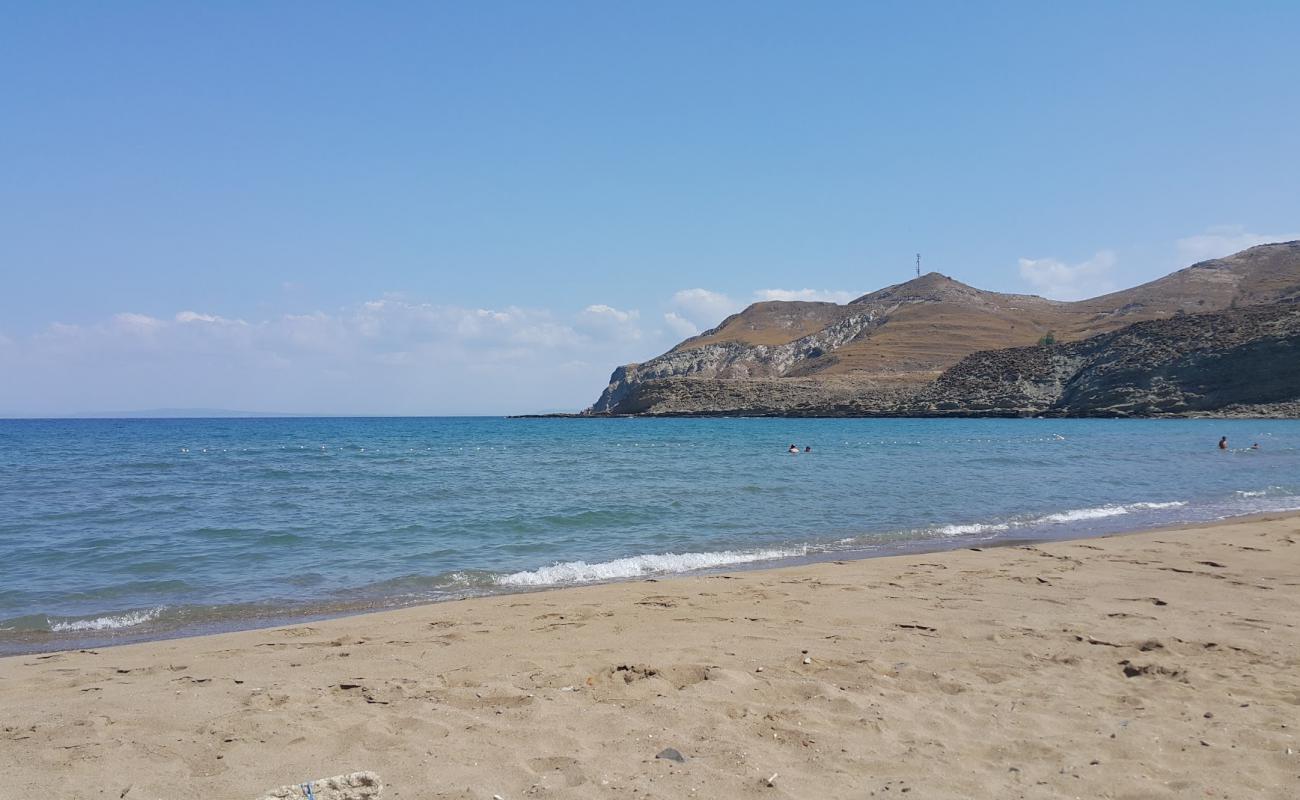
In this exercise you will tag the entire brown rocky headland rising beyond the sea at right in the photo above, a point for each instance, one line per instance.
(1219, 338)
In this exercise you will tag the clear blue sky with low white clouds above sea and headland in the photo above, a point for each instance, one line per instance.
(486, 207)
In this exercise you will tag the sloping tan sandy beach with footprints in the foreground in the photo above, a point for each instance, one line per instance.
(1155, 665)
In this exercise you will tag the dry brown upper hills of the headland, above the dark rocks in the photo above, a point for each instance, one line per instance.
(904, 336)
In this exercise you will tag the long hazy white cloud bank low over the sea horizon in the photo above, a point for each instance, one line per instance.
(389, 356)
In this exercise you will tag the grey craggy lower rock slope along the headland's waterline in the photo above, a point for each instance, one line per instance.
(1242, 362)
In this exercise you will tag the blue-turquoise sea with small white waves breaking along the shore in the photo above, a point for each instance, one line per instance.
(119, 530)
